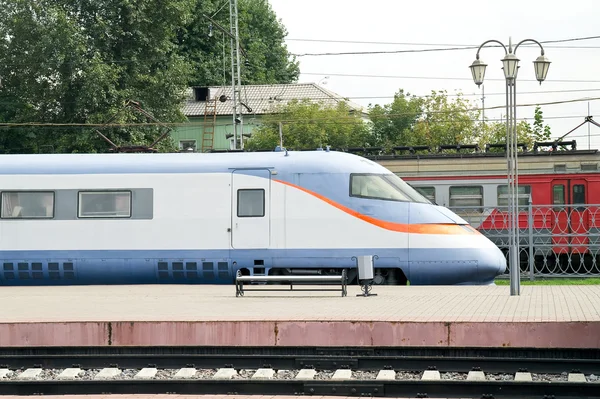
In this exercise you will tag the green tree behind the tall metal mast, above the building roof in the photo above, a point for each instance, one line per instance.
(261, 35)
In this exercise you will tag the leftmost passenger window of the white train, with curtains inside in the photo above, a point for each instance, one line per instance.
(27, 205)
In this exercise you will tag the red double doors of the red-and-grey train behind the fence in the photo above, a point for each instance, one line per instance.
(570, 222)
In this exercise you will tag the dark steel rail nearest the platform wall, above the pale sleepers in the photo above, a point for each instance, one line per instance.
(490, 360)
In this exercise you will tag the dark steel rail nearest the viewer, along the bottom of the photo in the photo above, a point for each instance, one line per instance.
(394, 388)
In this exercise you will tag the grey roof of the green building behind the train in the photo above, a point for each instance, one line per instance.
(262, 99)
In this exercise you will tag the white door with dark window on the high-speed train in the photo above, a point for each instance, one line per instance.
(251, 192)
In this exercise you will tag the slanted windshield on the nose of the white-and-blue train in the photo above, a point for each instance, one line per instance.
(384, 186)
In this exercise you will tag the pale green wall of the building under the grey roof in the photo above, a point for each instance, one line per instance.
(223, 127)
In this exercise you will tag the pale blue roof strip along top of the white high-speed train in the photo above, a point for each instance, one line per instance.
(292, 161)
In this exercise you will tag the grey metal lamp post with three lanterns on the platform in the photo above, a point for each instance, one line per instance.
(510, 64)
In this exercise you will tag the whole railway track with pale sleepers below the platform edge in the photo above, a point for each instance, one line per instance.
(377, 372)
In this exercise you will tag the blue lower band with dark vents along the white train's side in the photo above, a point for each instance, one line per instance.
(426, 266)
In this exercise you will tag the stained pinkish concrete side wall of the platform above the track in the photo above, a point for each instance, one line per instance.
(303, 333)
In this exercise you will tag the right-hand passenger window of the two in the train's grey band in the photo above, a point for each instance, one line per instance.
(107, 204)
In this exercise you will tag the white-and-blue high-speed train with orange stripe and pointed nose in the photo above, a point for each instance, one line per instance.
(199, 218)
